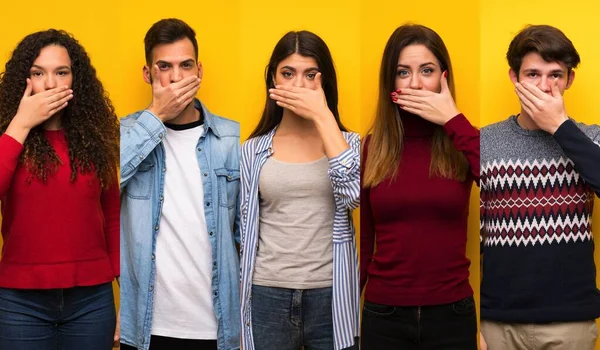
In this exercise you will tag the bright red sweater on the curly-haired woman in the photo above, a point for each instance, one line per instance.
(56, 235)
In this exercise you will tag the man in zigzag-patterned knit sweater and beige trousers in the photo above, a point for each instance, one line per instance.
(540, 173)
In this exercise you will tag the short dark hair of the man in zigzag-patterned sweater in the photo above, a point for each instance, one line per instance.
(549, 42)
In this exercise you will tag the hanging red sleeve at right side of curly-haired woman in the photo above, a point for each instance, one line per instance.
(110, 209)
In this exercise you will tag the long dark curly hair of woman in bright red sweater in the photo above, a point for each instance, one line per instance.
(90, 122)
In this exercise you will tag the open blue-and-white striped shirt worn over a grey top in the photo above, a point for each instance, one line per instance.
(344, 173)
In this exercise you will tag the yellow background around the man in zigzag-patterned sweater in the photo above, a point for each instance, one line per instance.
(501, 21)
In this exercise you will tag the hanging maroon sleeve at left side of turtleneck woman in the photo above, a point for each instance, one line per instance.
(367, 226)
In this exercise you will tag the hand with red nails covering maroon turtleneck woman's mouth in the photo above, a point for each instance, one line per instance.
(437, 108)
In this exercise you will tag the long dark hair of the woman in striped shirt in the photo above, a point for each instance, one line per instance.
(305, 44)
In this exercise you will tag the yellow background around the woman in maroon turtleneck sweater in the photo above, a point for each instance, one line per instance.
(378, 22)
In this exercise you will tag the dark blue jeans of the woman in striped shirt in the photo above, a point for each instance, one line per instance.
(289, 319)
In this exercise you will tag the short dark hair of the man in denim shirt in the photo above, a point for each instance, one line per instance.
(167, 31)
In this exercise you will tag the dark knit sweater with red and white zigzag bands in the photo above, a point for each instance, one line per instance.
(537, 197)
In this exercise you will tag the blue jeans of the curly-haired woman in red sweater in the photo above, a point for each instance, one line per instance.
(57, 319)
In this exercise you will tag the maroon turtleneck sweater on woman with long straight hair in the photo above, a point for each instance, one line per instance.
(419, 224)
